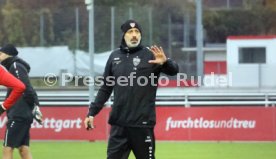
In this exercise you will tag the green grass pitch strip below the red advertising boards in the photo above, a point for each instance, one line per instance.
(164, 150)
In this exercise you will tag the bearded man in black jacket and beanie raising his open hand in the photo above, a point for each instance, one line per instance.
(132, 117)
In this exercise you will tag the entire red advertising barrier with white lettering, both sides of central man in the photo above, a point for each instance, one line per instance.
(173, 123)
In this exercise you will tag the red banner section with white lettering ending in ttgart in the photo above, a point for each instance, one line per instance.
(65, 123)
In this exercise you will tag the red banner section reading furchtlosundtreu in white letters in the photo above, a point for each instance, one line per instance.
(216, 123)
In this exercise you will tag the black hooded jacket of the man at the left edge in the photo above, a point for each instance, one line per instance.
(22, 109)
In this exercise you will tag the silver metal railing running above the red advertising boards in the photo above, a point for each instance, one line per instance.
(164, 98)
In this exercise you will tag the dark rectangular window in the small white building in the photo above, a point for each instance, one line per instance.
(252, 55)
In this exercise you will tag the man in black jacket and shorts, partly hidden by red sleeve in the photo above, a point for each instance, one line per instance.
(21, 114)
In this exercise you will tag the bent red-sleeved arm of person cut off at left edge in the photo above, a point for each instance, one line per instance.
(8, 80)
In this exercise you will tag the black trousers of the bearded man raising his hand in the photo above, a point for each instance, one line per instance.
(122, 140)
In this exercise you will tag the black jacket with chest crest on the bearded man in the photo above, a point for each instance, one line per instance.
(134, 105)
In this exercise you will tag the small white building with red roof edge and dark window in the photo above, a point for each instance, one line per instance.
(252, 61)
